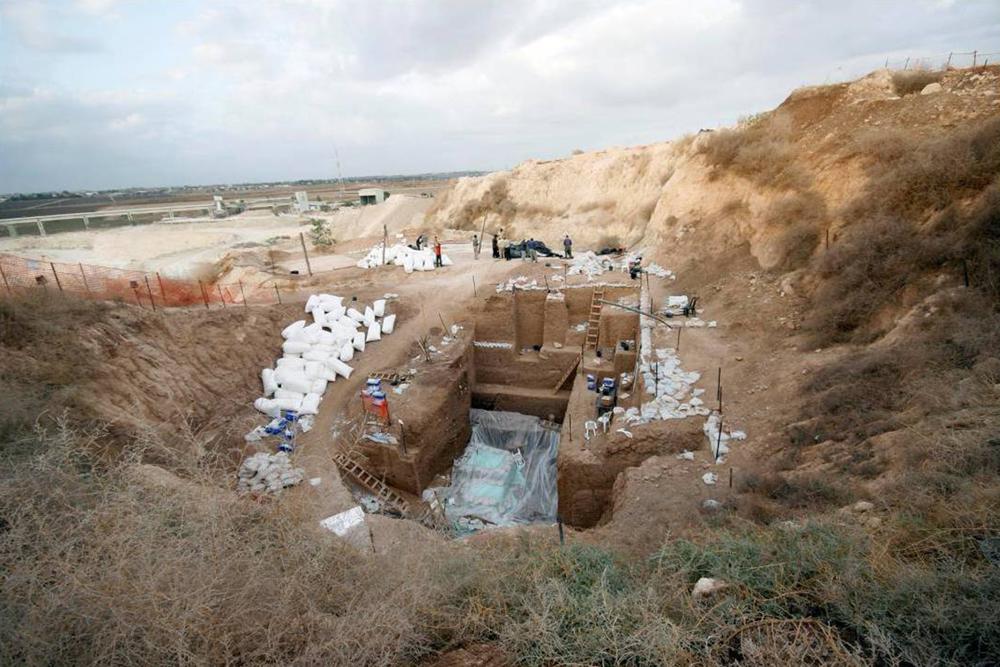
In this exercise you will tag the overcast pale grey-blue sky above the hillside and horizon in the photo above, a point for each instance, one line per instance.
(115, 93)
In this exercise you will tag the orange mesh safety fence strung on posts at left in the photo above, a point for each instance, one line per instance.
(144, 289)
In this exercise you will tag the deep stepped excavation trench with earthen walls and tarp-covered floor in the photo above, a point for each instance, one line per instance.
(523, 368)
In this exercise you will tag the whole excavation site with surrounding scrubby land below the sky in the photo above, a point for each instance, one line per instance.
(729, 399)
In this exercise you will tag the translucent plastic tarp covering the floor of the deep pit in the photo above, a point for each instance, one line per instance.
(507, 474)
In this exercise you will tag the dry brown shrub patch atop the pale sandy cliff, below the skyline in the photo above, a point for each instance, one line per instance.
(762, 152)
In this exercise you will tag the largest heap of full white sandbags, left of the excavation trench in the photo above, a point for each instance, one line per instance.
(316, 354)
